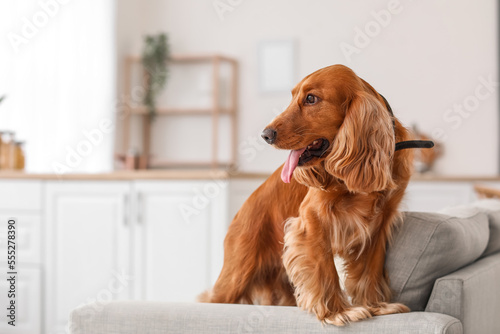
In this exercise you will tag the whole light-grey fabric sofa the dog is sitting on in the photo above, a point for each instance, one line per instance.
(446, 268)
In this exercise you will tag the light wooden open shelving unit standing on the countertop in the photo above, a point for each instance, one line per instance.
(214, 111)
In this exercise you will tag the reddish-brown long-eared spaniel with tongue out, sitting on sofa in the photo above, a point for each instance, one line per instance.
(336, 196)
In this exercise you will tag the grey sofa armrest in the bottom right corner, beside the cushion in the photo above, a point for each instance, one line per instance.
(472, 295)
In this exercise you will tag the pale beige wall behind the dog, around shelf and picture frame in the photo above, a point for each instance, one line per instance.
(431, 56)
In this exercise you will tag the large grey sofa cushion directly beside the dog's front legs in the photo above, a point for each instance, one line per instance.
(428, 246)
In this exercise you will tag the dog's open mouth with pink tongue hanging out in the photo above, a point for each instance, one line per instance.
(300, 157)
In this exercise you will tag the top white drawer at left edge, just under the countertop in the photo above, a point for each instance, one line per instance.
(24, 195)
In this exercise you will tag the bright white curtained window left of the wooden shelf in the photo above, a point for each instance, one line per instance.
(57, 70)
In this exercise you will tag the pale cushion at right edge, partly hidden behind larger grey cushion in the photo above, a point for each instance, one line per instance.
(491, 207)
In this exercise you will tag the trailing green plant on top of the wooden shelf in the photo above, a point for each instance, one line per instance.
(155, 58)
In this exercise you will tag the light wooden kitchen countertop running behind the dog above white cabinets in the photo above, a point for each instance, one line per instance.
(202, 175)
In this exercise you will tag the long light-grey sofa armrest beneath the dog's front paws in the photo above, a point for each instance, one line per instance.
(155, 318)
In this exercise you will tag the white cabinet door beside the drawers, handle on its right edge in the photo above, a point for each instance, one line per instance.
(86, 246)
